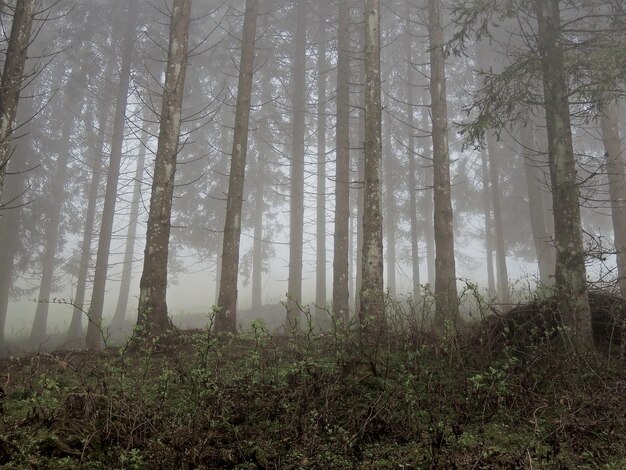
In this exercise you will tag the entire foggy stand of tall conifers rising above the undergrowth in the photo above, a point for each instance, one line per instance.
(316, 153)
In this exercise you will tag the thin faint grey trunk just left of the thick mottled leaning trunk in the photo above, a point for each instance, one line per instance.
(119, 317)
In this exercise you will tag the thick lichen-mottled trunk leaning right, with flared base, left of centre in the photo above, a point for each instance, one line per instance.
(152, 318)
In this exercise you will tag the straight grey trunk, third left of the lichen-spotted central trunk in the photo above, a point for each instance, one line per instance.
(296, 215)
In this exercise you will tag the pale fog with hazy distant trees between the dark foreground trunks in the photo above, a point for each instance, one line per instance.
(79, 106)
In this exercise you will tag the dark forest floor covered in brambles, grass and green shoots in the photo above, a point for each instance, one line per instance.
(259, 400)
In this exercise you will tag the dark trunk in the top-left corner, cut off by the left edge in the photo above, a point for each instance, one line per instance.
(12, 76)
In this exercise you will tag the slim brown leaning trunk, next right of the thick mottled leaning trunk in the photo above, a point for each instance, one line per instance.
(226, 319)
